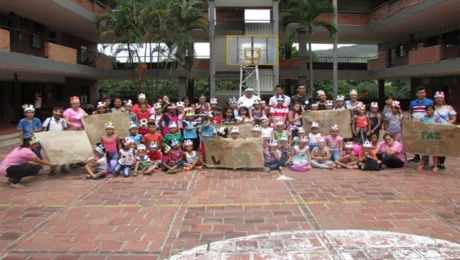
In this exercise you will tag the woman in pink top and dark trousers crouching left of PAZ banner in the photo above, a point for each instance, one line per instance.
(391, 152)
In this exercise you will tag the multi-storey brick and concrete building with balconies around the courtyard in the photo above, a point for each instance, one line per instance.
(50, 46)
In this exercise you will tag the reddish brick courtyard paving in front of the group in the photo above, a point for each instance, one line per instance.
(156, 217)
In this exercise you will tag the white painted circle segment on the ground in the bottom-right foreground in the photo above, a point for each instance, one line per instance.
(329, 244)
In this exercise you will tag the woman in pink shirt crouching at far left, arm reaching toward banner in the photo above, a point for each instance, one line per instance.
(16, 164)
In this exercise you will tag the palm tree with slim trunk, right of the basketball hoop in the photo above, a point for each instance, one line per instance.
(301, 18)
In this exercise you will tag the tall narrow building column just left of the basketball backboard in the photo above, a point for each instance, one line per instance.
(212, 59)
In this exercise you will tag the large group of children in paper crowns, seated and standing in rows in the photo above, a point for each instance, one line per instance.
(169, 136)
